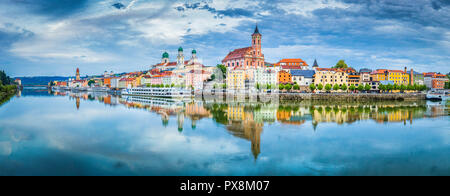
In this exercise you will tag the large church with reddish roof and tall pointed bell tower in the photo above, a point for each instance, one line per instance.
(247, 57)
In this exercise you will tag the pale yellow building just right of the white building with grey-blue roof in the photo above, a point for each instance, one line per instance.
(331, 76)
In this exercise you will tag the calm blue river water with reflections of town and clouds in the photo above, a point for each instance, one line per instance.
(44, 133)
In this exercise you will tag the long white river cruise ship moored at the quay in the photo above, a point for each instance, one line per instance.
(158, 92)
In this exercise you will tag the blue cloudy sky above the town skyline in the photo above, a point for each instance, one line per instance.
(54, 37)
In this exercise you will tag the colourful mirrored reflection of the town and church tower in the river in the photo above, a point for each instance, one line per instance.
(247, 120)
